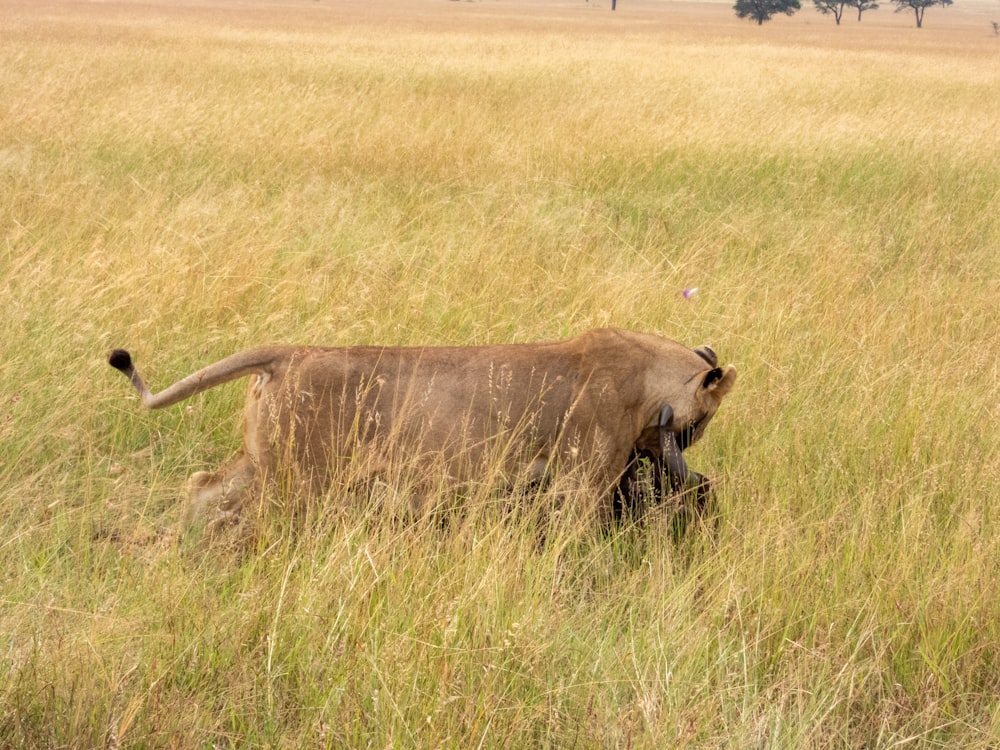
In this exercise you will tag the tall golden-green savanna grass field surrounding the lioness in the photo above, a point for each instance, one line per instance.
(190, 179)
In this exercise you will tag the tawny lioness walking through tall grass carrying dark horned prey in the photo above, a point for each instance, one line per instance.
(582, 408)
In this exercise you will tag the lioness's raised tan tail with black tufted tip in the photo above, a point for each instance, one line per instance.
(231, 368)
